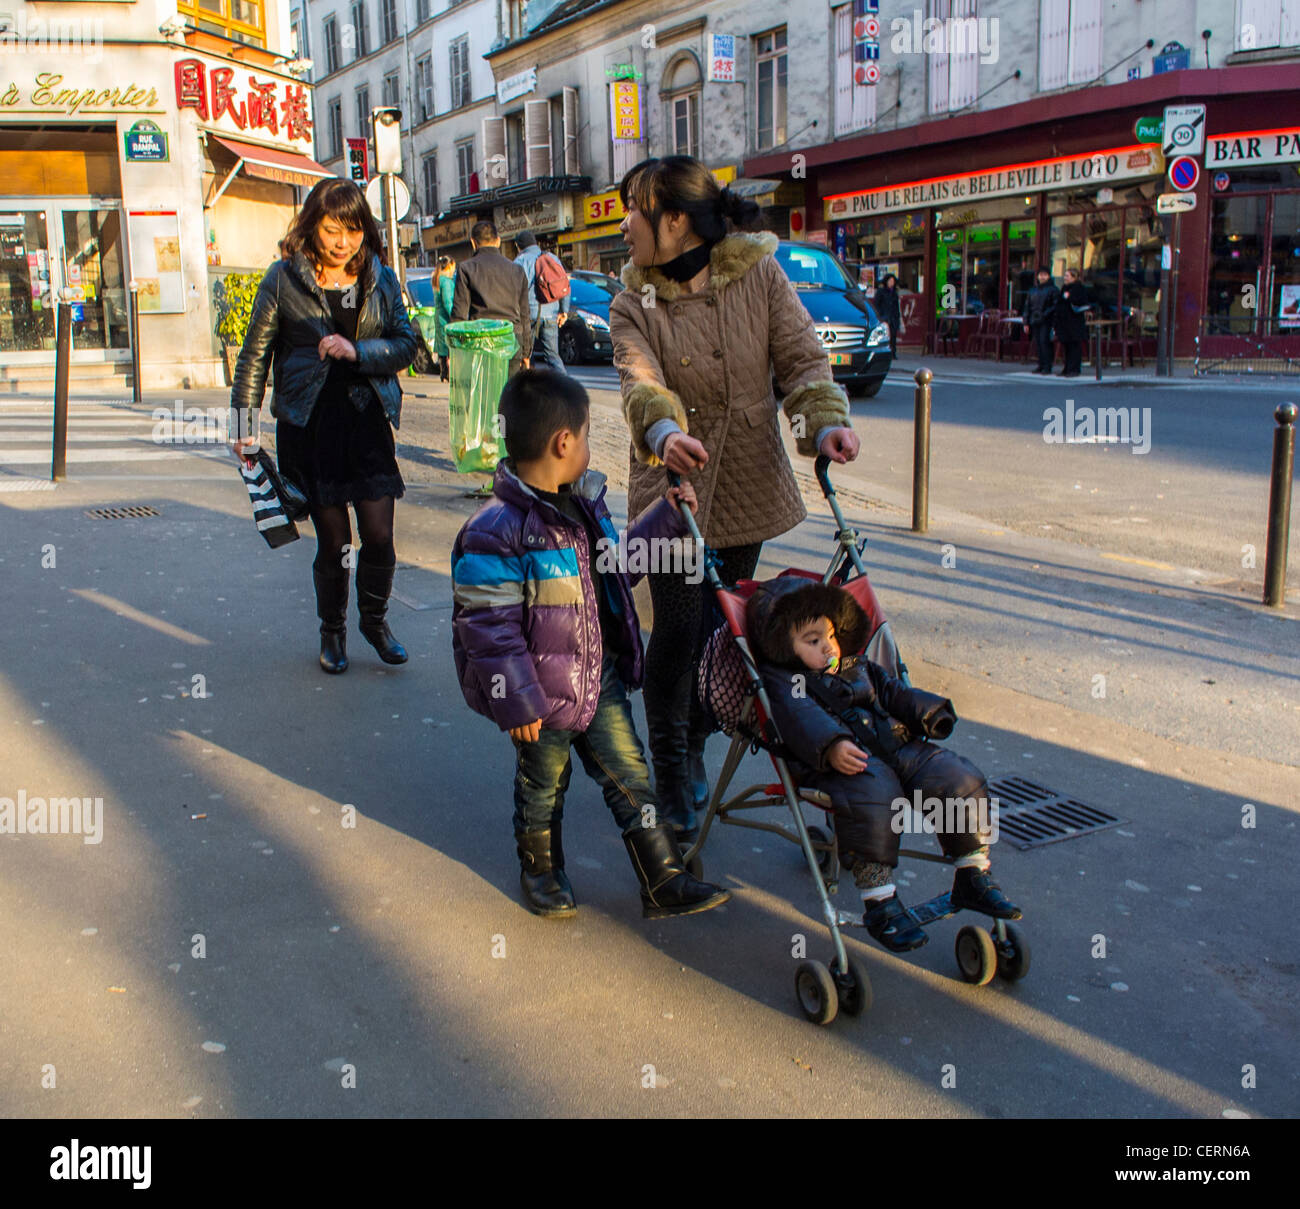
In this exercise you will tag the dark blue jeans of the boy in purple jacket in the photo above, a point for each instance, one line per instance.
(610, 751)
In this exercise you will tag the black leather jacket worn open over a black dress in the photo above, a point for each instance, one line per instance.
(292, 317)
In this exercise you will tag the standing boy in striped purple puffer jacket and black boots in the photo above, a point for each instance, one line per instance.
(547, 642)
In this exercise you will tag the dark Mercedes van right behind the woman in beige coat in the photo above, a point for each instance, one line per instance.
(855, 337)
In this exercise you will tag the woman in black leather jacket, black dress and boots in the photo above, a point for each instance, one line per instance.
(330, 323)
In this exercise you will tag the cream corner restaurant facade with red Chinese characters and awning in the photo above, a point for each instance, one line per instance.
(164, 144)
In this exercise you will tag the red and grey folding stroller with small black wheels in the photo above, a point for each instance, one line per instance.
(731, 691)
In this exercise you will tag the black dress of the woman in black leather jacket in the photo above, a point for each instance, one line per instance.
(345, 453)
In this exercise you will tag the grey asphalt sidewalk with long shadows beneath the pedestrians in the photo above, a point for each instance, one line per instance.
(396, 948)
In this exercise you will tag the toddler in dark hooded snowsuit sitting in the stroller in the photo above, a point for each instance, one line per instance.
(827, 709)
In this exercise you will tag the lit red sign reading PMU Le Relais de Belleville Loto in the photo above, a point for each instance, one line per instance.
(1065, 172)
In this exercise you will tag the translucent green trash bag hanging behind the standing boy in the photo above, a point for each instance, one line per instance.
(480, 352)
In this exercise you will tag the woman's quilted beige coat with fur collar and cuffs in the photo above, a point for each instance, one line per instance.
(707, 361)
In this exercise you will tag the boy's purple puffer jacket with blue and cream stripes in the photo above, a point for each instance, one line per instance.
(526, 608)
